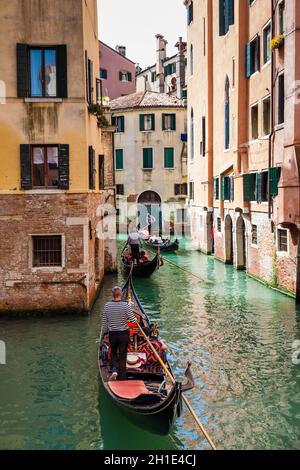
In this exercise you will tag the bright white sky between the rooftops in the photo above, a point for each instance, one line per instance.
(134, 24)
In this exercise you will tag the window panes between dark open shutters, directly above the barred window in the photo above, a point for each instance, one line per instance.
(45, 172)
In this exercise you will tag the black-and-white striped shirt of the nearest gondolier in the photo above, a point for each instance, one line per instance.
(116, 315)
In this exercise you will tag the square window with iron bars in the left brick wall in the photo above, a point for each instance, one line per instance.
(47, 251)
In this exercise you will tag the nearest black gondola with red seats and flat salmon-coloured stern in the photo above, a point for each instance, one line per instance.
(147, 397)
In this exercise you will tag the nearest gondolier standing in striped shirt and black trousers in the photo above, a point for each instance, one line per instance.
(116, 315)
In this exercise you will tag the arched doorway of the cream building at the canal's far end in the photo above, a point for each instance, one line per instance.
(149, 202)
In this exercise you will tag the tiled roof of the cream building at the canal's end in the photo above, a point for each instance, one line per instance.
(146, 99)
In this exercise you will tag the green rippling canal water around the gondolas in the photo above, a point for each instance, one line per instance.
(238, 334)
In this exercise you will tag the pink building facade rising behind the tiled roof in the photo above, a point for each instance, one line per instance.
(117, 72)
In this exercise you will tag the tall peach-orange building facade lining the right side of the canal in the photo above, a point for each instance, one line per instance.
(243, 115)
